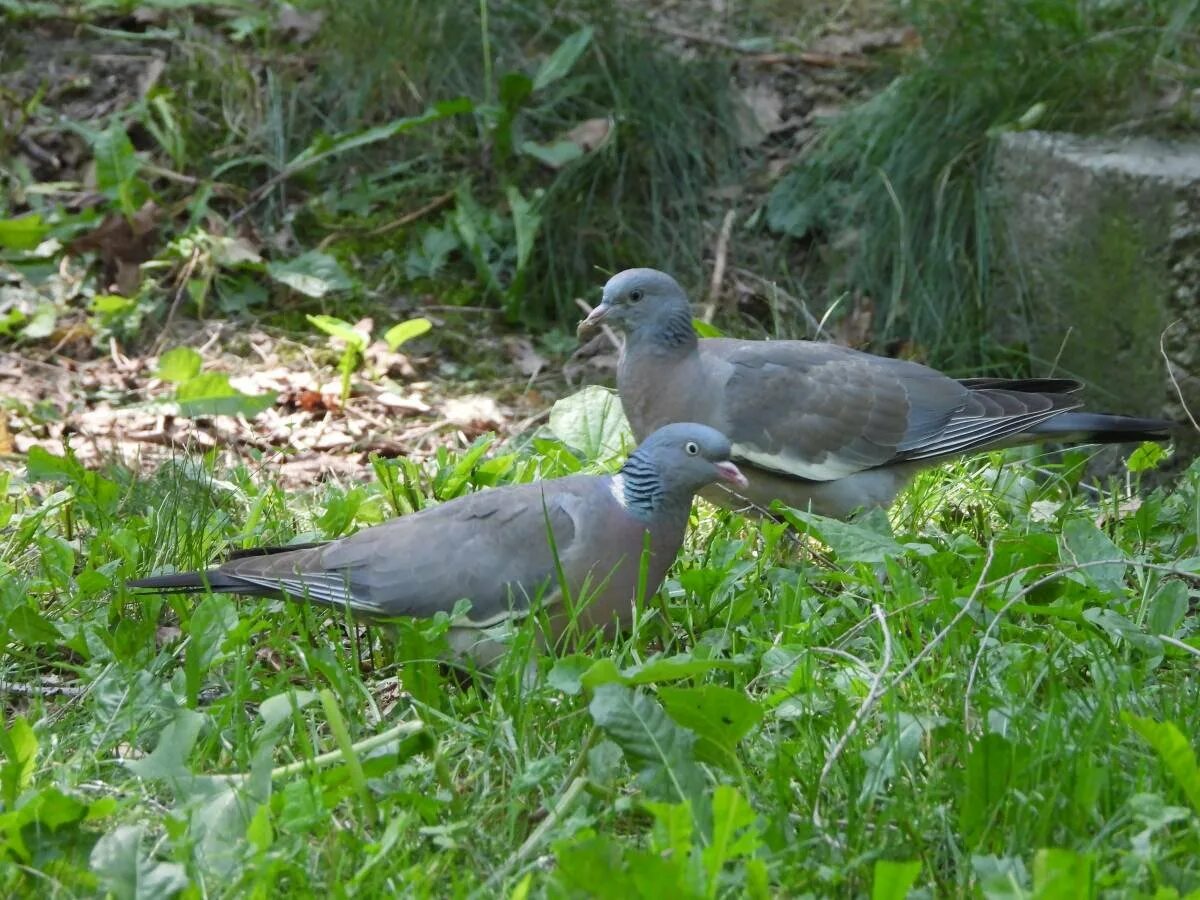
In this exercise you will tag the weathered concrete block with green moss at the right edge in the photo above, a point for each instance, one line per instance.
(1100, 266)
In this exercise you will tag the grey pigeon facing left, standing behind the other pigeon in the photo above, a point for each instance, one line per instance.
(820, 427)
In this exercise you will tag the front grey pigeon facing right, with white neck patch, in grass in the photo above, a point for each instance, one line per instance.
(494, 549)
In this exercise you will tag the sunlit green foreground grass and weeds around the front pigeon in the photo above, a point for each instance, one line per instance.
(992, 697)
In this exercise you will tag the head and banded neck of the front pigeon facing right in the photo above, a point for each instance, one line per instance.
(674, 464)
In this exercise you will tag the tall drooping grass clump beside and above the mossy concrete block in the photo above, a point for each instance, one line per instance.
(901, 179)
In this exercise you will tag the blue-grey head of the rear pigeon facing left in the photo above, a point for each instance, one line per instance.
(645, 304)
